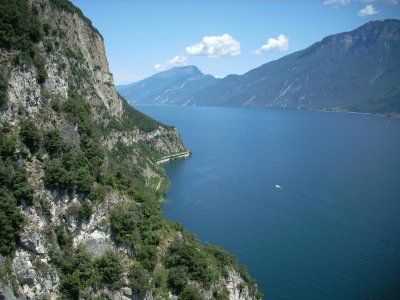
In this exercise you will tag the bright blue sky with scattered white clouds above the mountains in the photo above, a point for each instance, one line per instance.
(221, 37)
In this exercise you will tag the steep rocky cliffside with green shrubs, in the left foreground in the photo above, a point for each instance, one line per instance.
(80, 180)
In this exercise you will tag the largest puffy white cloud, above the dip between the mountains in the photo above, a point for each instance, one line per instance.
(215, 46)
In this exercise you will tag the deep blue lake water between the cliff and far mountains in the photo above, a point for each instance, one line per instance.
(332, 231)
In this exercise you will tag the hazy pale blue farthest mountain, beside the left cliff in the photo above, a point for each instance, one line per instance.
(169, 87)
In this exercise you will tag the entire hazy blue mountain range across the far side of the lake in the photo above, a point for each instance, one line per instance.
(352, 71)
